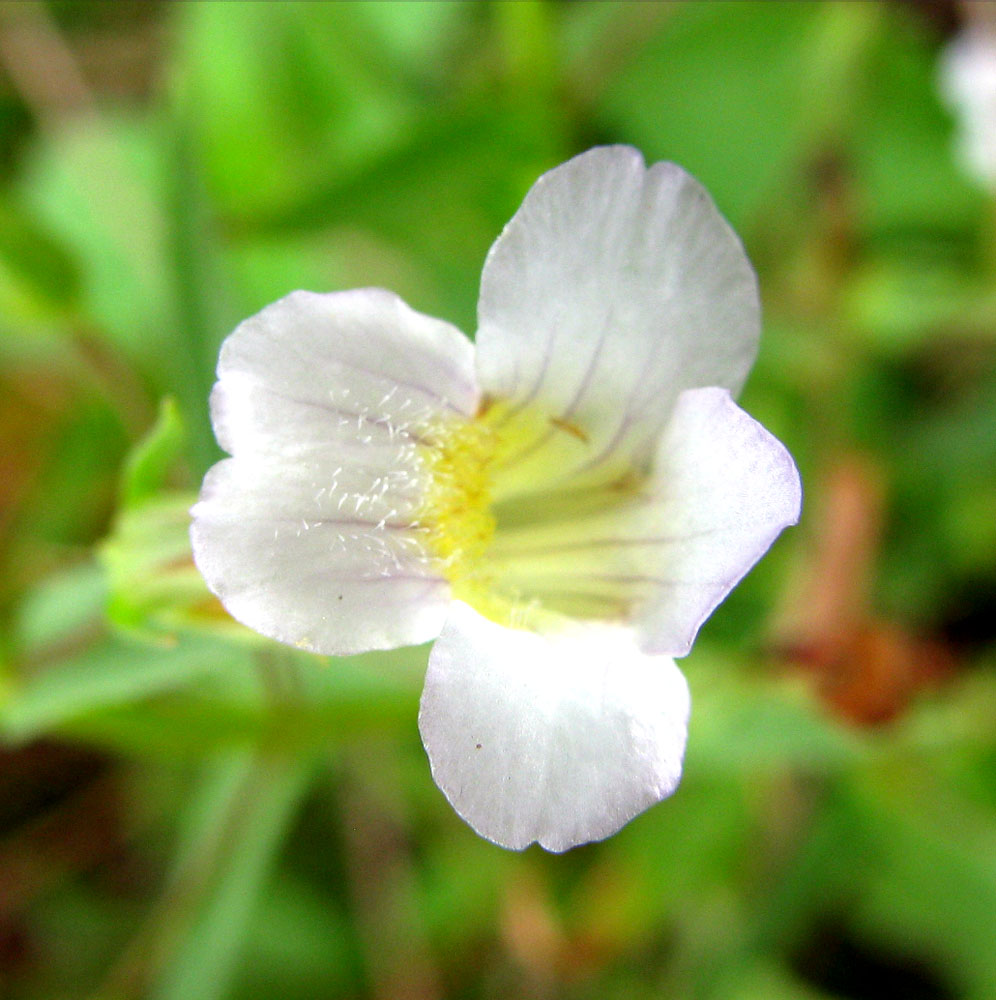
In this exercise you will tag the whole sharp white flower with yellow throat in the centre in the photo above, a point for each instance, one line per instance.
(562, 505)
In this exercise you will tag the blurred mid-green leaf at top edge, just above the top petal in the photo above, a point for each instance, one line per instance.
(724, 90)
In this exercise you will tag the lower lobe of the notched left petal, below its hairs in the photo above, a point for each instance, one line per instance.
(326, 581)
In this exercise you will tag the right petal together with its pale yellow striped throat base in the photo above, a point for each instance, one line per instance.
(660, 550)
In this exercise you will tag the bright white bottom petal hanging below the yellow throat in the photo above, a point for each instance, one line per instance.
(560, 740)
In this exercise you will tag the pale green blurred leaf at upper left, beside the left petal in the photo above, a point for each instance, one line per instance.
(123, 196)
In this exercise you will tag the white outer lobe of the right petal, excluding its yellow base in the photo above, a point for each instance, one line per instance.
(727, 489)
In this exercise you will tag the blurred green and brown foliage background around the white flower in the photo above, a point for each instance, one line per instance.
(188, 812)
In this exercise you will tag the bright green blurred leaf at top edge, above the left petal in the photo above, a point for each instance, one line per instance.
(309, 105)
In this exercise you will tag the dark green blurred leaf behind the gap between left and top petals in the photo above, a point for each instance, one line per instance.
(436, 197)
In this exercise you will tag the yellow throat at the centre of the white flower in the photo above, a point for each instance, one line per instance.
(518, 538)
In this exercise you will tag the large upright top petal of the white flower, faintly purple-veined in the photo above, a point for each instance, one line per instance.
(611, 290)
